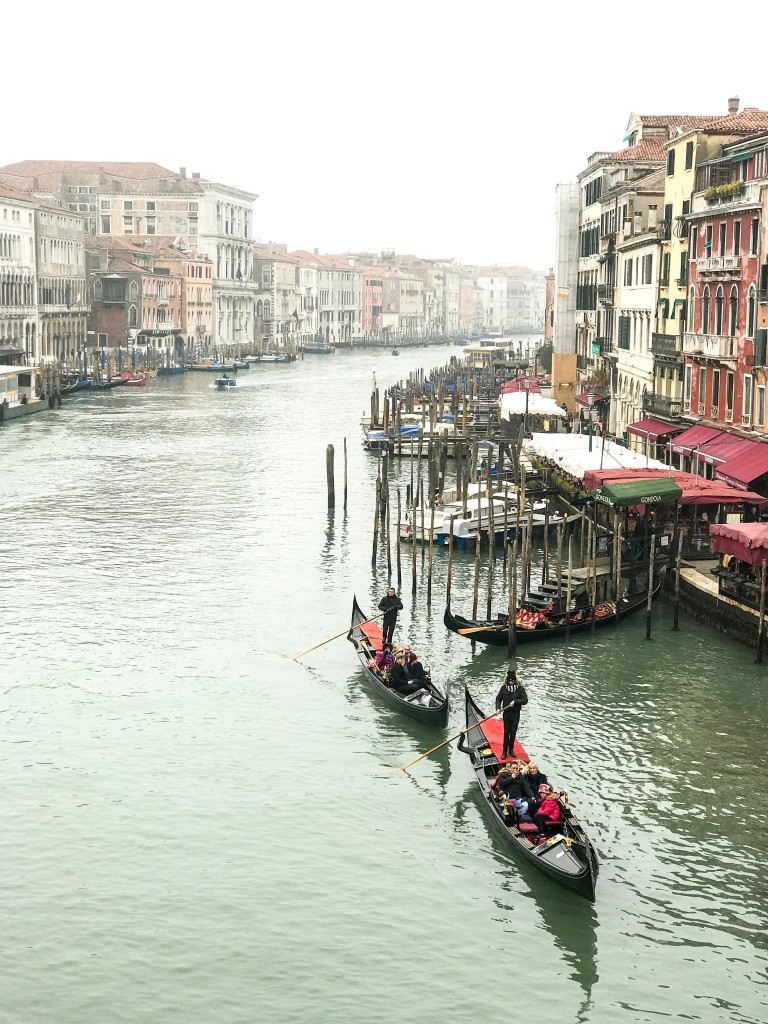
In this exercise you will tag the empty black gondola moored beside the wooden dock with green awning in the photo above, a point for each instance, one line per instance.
(538, 624)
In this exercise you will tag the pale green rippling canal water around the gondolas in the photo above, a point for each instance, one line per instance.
(199, 829)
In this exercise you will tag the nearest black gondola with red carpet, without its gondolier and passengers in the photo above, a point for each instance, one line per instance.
(564, 855)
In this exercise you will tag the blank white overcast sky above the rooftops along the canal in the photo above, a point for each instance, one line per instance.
(439, 129)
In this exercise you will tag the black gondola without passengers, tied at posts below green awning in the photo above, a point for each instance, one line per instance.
(545, 618)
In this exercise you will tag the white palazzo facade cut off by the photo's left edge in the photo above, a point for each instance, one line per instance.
(19, 313)
